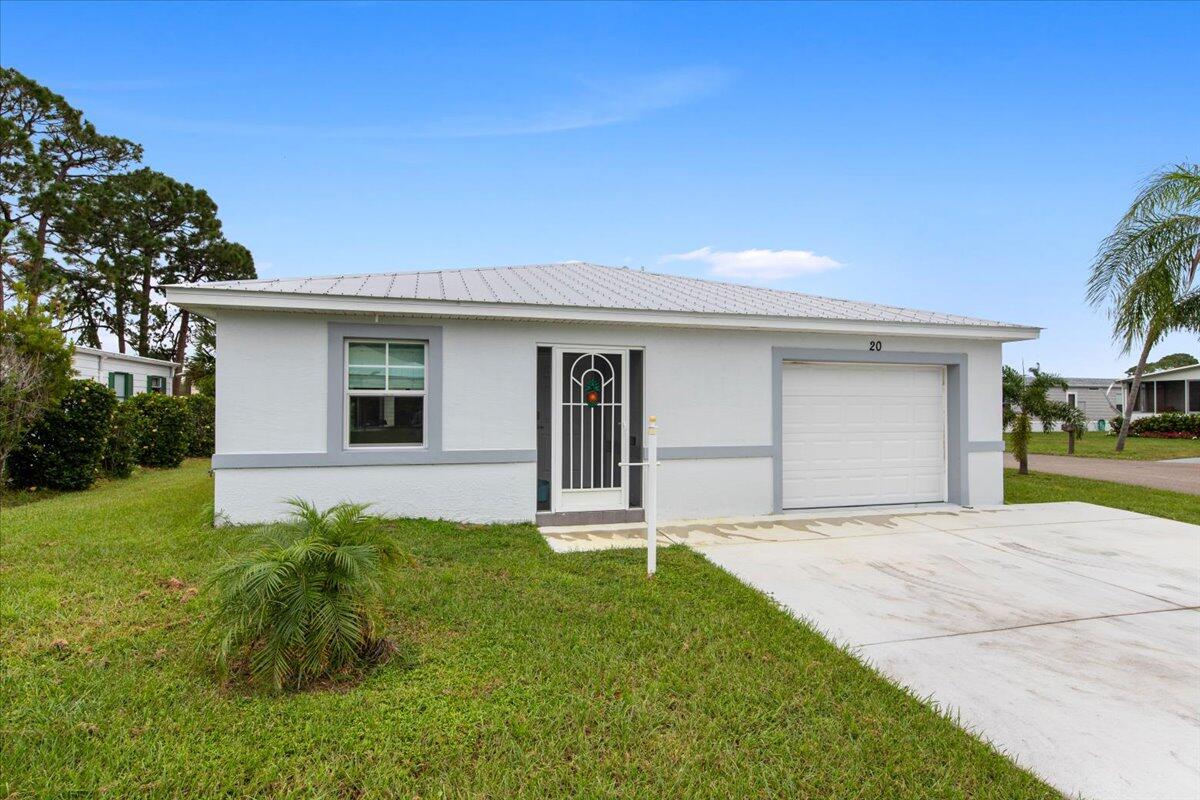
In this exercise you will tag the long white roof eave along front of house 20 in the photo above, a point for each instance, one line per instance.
(203, 299)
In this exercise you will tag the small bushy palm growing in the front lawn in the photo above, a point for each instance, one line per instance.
(302, 601)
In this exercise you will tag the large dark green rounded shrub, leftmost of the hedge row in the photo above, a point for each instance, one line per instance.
(63, 450)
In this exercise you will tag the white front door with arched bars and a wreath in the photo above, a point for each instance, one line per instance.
(591, 407)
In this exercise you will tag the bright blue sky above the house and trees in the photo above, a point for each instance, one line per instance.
(958, 158)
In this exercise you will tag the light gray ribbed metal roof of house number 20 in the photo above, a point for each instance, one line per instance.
(592, 286)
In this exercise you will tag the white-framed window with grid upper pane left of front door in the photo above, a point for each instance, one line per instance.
(386, 394)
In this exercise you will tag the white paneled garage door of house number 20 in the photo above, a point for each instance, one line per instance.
(863, 435)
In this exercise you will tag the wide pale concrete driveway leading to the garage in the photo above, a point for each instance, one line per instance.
(1066, 634)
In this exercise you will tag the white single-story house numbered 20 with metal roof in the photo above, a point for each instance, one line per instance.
(523, 393)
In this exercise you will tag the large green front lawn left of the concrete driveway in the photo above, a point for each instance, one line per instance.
(520, 673)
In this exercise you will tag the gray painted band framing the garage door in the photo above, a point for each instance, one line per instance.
(957, 484)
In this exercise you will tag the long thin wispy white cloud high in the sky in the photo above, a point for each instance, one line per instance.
(591, 105)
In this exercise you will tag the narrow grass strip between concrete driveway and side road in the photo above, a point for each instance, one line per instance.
(1045, 488)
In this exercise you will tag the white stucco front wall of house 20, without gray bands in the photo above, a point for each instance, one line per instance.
(707, 388)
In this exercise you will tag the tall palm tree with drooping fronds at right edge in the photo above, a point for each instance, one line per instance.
(1145, 270)
